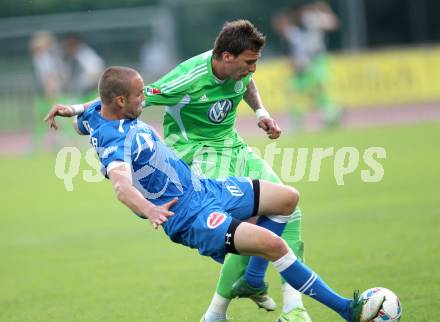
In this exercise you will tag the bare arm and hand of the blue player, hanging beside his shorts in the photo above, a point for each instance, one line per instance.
(126, 193)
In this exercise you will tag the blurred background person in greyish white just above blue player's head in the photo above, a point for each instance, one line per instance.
(85, 67)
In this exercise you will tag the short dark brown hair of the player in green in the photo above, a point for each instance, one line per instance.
(236, 37)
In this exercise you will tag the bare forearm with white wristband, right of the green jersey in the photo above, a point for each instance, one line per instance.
(265, 122)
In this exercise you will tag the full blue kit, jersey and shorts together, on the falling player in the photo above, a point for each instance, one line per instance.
(161, 176)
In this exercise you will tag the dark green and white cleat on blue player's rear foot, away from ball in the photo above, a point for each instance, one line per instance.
(241, 288)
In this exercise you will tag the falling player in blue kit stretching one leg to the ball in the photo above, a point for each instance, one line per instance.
(205, 214)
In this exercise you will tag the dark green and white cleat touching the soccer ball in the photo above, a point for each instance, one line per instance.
(364, 310)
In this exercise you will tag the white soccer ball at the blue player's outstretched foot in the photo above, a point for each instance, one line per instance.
(391, 309)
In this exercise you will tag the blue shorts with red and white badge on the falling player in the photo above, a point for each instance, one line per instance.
(212, 211)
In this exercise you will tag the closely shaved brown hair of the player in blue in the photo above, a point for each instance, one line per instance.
(115, 81)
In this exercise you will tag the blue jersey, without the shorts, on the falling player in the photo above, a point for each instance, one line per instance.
(157, 172)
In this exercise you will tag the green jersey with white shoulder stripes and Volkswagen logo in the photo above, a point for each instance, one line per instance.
(200, 109)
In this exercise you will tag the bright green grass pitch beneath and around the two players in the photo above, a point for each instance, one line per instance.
(81, 256)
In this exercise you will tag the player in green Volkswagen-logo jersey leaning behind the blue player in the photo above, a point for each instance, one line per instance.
(201, 96)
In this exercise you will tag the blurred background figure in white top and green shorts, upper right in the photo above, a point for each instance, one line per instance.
(303, 27)
